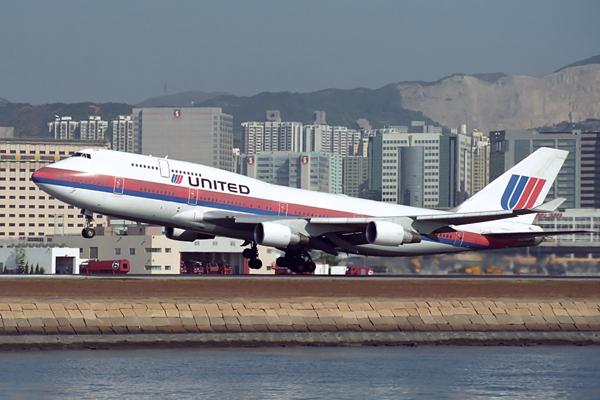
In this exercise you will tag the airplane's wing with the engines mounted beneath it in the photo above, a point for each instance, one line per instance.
(329, 234)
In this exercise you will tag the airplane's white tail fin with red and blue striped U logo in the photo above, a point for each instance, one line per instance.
(523, 186)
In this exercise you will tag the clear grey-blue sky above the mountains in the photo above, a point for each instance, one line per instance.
(128, 51)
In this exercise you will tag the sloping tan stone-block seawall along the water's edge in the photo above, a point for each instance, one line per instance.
(96, 322)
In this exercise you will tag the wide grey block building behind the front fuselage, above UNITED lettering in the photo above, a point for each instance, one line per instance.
(196, 134)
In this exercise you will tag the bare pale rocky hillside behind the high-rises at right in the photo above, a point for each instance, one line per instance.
(499, 101)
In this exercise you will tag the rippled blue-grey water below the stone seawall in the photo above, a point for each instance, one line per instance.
(305, 373)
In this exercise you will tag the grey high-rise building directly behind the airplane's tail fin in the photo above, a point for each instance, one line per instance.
(510, 147)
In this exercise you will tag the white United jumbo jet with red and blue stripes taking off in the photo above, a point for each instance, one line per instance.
(195, 202)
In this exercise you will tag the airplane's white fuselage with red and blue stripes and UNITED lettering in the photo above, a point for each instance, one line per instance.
(178, 194)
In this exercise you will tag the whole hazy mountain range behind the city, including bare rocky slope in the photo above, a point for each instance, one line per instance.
(481, 101)
